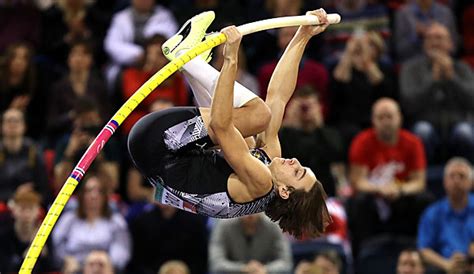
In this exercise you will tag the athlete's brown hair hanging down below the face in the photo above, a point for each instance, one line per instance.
(303, 213)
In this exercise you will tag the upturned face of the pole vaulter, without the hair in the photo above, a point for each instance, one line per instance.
(289, 175)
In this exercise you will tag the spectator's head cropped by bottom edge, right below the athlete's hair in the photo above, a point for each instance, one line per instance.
(325, 263)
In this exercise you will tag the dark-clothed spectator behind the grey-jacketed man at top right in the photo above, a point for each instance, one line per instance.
(412, 22)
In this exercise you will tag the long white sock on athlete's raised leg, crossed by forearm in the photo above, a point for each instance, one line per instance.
(202, 78)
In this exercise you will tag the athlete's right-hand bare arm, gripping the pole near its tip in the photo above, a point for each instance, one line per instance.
(283, 83)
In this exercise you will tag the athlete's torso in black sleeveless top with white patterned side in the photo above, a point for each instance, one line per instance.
(198, 184)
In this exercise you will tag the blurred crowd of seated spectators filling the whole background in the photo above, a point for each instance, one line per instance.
(383, 113)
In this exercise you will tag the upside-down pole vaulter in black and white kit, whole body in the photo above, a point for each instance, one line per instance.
(175, 149)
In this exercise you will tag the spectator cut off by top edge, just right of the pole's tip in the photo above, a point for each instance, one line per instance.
(358, 16)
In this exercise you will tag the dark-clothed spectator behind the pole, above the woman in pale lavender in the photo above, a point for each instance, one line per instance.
(70, 148)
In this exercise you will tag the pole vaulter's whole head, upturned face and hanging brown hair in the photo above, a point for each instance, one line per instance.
(300, 206)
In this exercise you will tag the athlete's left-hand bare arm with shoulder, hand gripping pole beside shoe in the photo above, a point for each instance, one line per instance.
(254, 177)
